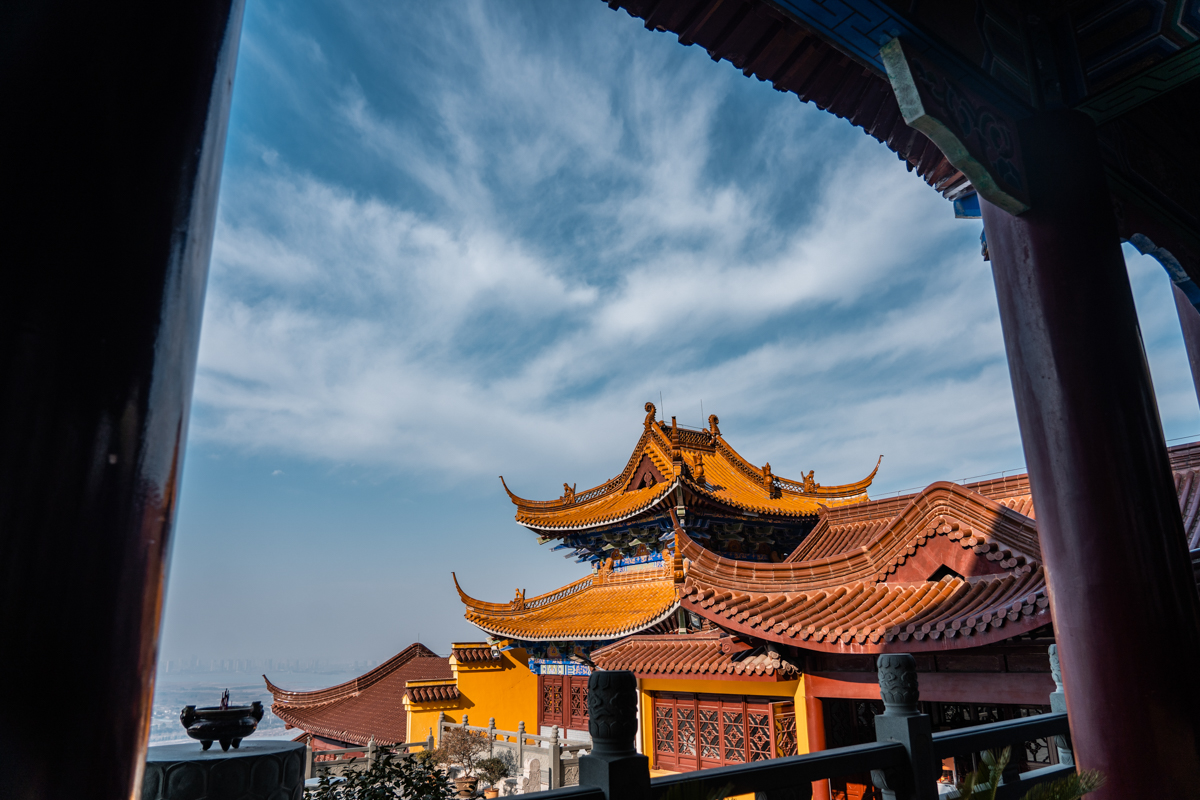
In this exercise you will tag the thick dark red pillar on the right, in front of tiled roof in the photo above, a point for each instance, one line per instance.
(1125, 603)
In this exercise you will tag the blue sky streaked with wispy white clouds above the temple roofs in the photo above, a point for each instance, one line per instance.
(466, 240)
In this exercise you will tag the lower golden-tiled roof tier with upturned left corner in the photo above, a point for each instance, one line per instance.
(598, 607)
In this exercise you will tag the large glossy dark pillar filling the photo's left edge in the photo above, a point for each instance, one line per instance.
(115, 129)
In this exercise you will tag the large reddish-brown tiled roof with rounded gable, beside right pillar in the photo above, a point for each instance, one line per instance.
(946, 568)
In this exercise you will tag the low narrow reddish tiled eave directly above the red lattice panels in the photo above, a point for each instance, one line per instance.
(713, 655)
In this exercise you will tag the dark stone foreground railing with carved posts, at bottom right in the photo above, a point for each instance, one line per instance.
(904, 762)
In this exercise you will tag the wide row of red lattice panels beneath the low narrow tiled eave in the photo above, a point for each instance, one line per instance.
(709, 731)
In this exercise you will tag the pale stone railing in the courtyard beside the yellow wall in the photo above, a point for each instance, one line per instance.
(542, 761)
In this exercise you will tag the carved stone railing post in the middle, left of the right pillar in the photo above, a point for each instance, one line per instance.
(903, 721)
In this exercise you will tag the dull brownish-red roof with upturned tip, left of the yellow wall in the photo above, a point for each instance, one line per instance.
(368, 707)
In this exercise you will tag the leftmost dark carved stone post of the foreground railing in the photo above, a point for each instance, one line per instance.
(615, 766)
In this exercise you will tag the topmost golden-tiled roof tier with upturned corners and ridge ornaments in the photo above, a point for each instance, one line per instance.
(700, 461)
